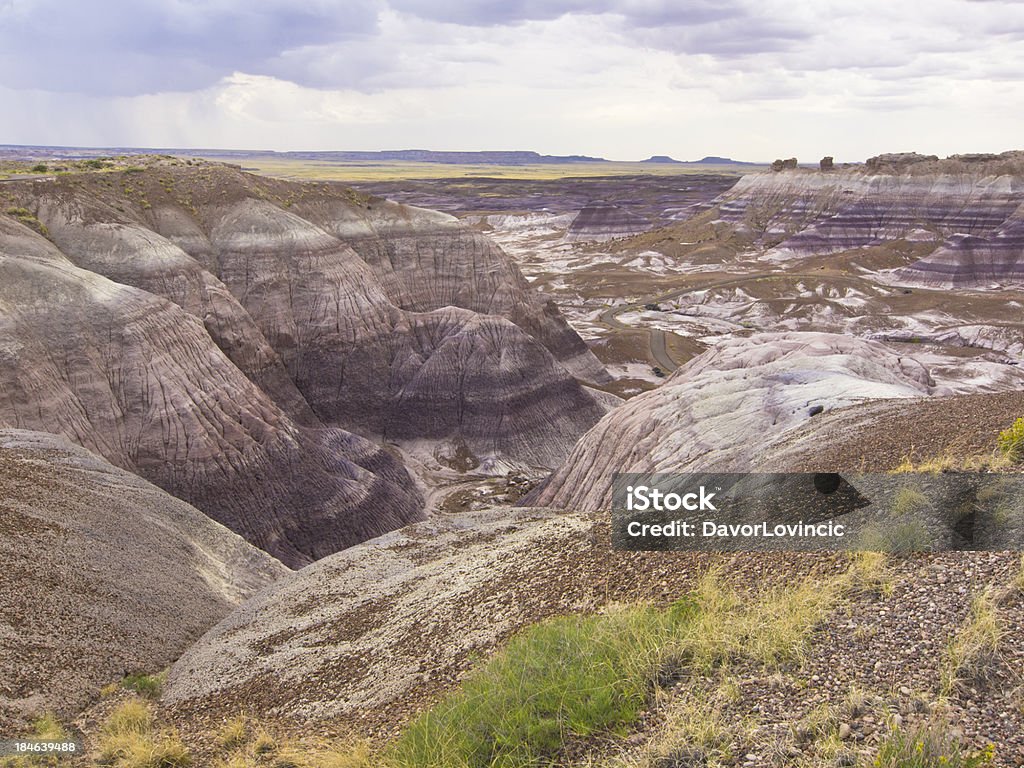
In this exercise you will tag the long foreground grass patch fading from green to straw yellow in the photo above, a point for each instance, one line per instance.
(577, 678)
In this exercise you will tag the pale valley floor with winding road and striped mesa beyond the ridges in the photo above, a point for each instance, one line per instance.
(709, 265)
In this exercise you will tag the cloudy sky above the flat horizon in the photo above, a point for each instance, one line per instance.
(623, 79)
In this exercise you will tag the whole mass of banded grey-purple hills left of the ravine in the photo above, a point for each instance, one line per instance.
(227, 336)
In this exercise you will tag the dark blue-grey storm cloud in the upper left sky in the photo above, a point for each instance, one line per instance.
(129, 48)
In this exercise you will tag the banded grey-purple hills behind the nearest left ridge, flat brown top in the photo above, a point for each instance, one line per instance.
(334, 305)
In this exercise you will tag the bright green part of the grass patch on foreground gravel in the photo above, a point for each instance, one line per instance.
(569, 677)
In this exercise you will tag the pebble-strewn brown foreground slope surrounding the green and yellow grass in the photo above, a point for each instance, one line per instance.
(364, 641)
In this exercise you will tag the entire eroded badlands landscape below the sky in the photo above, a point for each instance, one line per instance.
(315, 471)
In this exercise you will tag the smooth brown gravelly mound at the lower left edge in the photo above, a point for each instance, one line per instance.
(104, 575)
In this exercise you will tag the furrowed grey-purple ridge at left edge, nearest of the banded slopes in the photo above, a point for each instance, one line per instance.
(140, 381)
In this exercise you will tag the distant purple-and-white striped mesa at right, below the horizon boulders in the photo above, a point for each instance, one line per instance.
(971, 208)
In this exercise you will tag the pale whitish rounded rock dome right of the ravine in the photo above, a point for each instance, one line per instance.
(727, 408)
